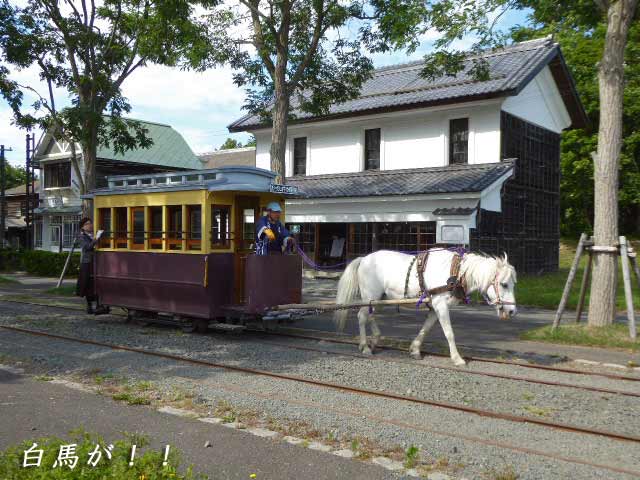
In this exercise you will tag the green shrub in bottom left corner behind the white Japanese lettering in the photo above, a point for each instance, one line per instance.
(147, 464)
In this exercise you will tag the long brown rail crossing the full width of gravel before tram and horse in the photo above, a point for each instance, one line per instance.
(338, 387)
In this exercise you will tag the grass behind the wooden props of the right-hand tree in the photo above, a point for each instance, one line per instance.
(546, 290)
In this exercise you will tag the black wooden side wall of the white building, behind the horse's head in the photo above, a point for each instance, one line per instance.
(528, 229)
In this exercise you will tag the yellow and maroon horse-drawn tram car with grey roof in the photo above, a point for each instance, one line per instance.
(179, 247)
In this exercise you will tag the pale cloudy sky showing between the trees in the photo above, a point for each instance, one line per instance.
(197, 105)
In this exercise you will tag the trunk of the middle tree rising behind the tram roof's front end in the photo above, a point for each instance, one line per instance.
(280, 117)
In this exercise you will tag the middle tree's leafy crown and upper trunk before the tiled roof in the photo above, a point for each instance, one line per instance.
(309, 53)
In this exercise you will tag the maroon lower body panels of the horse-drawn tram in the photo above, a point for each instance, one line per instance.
(199, 286)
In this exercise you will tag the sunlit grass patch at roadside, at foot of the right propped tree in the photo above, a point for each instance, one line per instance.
(611, 336)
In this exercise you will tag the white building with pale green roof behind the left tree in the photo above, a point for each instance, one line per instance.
(60, 206)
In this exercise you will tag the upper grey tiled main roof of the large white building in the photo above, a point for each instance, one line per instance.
(401, 87)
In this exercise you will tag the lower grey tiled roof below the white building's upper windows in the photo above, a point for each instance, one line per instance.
(416, 181)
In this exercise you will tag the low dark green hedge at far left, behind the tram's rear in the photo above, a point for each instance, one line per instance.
(38, 262)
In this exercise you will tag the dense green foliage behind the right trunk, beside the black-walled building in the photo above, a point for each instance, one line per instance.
(582, 48)
